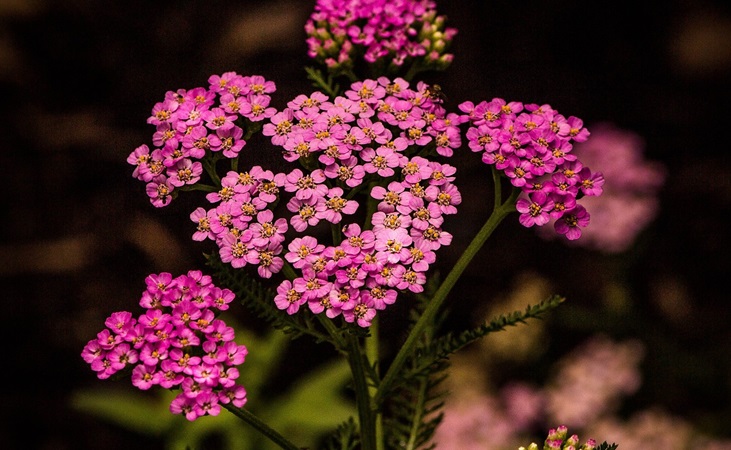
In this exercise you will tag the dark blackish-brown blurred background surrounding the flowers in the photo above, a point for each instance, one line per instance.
(79, 79)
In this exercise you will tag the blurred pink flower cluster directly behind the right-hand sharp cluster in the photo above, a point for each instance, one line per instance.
(630, 201)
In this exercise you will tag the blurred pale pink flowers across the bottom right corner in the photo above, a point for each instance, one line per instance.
(585, 391)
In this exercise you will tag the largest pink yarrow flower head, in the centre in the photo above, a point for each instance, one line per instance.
(369, 134)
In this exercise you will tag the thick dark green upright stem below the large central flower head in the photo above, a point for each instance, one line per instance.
(366, 413)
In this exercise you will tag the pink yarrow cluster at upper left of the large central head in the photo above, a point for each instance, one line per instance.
(195, 123)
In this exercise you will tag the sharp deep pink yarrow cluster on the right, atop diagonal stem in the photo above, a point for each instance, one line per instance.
(531, 145)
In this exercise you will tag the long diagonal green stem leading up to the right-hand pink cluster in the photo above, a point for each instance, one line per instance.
(500, 211)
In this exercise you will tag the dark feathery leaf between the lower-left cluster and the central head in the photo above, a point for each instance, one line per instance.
(259, 300)
